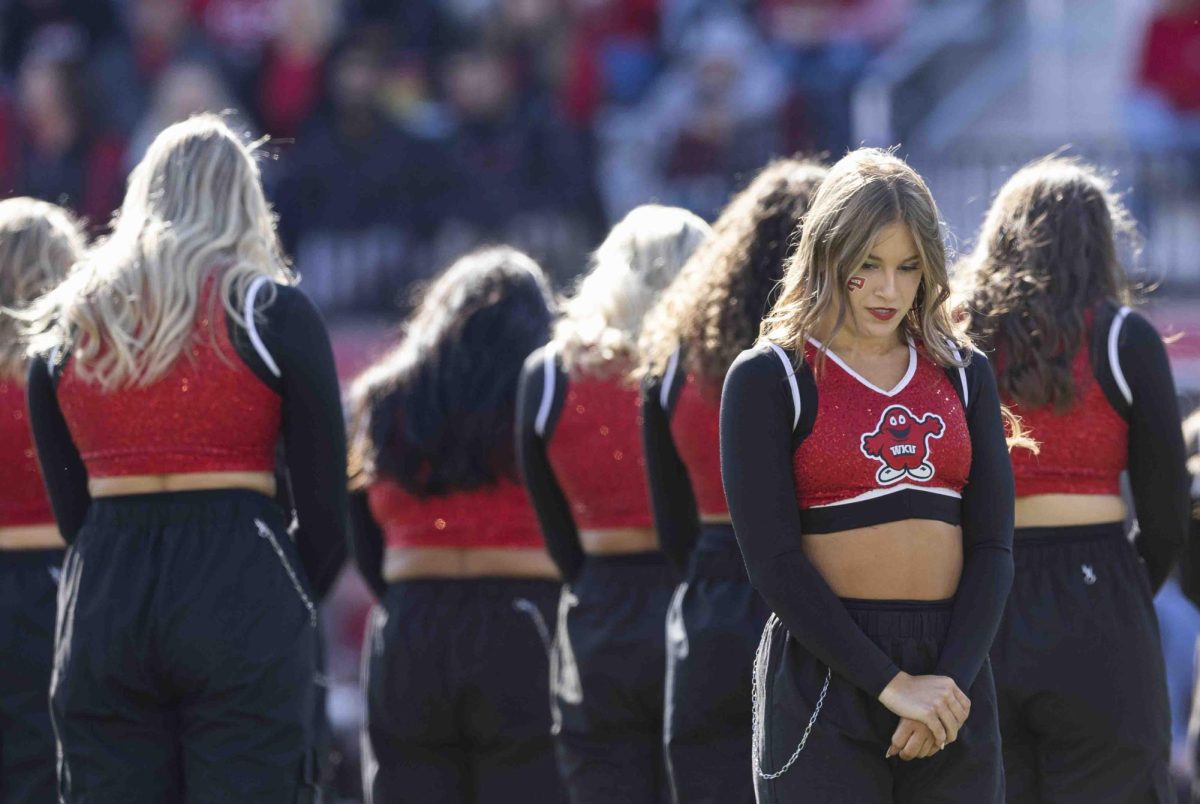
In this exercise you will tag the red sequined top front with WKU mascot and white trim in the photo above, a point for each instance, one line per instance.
(868, 442)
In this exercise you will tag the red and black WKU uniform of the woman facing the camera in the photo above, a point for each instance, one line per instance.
(820, 451)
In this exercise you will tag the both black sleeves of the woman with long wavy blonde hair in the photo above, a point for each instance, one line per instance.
(313, 433)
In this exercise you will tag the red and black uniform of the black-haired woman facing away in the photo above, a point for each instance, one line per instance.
(457, 674)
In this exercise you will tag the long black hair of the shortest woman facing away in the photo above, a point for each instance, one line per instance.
(436, 415)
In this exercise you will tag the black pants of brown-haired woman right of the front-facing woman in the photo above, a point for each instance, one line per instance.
(1079, 673)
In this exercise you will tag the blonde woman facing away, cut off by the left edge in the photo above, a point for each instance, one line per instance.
(39, 243)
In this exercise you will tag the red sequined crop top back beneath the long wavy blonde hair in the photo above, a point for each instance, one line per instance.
(208, 413)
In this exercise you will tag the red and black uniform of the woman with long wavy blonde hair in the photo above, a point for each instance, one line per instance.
(188, 633)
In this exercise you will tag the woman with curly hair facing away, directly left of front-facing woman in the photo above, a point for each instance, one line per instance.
(707, 316)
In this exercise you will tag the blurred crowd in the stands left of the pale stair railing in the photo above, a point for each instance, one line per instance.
(403, 133)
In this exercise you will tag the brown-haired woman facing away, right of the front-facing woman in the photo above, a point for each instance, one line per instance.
(1079, 669)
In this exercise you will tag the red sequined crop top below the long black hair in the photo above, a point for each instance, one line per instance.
(491, 517)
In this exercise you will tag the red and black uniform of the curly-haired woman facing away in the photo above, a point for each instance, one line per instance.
(716, 615)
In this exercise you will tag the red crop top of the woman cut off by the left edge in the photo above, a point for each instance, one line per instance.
(23, 501)
